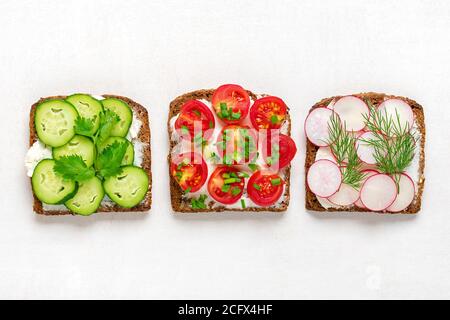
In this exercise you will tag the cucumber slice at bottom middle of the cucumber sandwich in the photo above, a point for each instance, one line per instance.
(88, 197)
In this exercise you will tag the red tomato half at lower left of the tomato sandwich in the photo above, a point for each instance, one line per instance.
(189, 170)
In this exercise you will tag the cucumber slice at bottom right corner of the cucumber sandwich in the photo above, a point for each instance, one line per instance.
(129, 188)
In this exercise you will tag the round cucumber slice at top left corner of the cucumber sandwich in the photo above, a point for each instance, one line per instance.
(54, 122)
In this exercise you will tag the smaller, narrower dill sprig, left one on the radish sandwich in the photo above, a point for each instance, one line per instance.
(342, 144)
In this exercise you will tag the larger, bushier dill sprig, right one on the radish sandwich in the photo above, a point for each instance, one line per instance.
(394, 145)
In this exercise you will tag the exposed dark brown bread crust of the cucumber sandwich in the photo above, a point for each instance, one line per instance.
(144, 136)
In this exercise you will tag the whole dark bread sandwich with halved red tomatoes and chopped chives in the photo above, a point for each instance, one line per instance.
(230, 150)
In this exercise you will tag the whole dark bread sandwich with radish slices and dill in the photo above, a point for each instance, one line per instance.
(365, 153)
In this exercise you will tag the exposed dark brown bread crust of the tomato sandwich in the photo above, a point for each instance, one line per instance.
(179, 203)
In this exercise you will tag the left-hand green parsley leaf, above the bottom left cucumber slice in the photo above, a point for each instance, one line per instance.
(73, 168)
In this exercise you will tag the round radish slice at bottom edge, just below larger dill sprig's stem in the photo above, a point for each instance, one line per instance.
(378, 192)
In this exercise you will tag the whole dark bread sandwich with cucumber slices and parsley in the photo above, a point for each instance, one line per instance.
(89, 154)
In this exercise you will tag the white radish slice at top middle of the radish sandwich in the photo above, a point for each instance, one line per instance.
(352, 110)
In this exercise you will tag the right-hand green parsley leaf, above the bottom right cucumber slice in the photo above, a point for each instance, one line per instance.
(110, 159)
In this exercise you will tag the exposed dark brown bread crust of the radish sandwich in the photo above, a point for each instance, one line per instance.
(311, 202)
